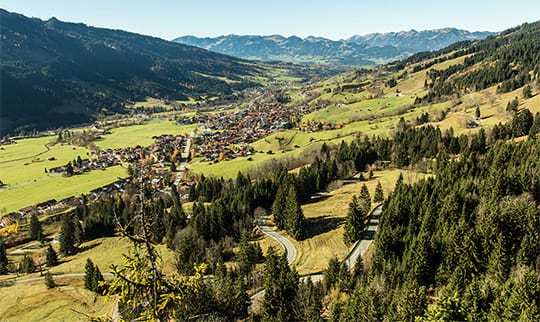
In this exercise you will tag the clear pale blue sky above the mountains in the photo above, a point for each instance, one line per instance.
(334, 19)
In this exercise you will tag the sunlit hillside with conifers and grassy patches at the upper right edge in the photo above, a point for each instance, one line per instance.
(510, 61)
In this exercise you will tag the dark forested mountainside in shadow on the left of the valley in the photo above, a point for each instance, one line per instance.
(56, 73)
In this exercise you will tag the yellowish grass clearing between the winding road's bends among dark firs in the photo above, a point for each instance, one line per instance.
(328, 216)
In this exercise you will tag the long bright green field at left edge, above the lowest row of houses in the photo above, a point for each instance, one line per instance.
(58, 187)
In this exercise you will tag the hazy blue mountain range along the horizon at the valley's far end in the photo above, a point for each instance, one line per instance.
(365, 50)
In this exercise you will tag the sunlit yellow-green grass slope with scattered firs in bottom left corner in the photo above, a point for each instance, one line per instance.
(31, 301)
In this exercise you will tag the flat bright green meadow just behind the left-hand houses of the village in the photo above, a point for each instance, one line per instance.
(141, 134)
